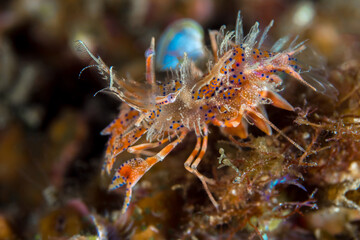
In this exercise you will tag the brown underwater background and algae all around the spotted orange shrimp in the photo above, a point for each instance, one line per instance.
(51, 150)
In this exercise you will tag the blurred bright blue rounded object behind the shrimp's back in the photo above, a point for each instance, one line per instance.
(182, 36)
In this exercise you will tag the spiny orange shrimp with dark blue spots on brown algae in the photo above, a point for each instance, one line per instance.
(229, 95)
